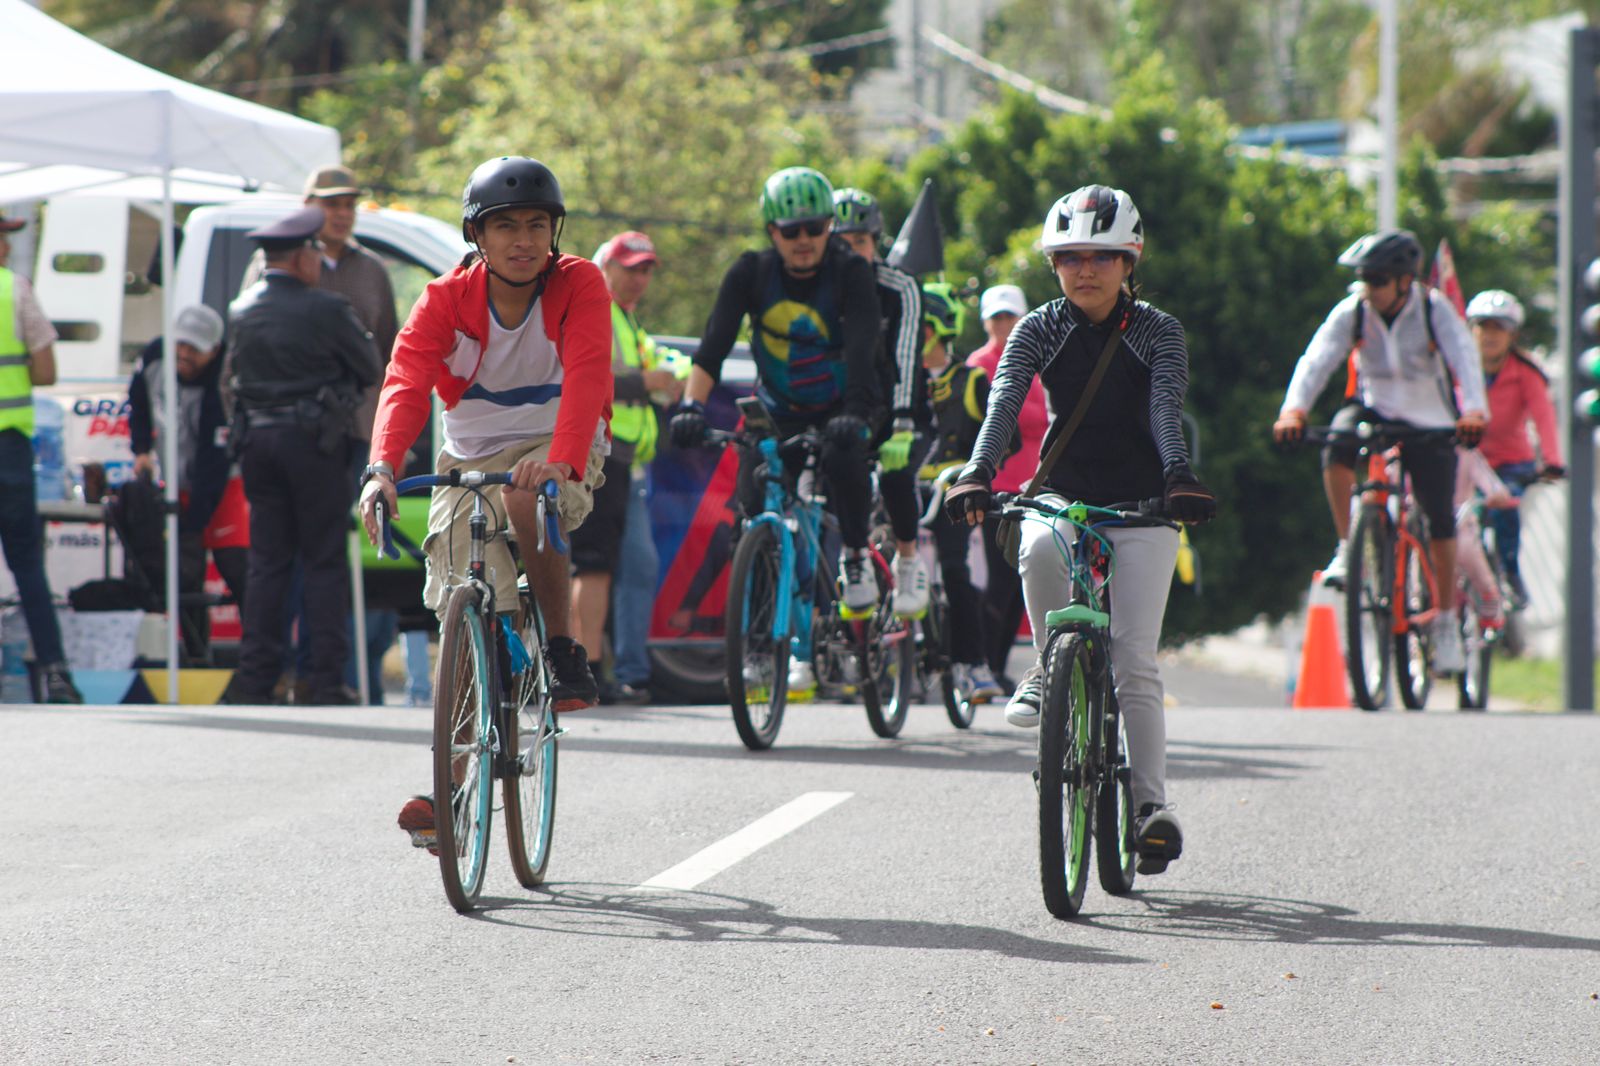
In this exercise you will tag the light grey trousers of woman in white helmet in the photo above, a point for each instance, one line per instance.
(1138, 590)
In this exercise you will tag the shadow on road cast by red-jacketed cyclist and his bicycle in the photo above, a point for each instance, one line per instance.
(590, 910)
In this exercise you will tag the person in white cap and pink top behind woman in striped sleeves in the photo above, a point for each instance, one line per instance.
(1001, 308)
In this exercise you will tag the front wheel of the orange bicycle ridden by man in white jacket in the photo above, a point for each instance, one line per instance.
(1369, 591)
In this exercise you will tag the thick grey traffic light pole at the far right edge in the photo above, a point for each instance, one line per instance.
(1577, 252)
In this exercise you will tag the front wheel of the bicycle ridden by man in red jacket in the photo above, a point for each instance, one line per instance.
(463, 748)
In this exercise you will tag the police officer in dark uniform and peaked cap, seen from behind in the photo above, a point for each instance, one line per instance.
(298, 361)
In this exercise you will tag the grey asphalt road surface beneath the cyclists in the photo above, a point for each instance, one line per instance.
(226, 886)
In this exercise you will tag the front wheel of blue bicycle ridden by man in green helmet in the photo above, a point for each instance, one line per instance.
(758, 663)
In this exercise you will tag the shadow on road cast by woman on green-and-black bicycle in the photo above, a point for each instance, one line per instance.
(1239, 918)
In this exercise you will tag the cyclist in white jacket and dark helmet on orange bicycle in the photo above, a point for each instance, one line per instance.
(1412, 355)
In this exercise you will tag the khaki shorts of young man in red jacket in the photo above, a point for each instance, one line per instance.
(450, 540)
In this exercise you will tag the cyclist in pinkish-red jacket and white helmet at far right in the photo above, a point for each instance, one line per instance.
(1519, 393)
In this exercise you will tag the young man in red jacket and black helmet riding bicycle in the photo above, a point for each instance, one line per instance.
(518, 345)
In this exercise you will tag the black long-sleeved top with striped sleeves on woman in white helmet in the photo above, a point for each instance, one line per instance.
(1134, 430)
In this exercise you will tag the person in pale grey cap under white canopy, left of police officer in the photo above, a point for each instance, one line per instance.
(214, 513)
